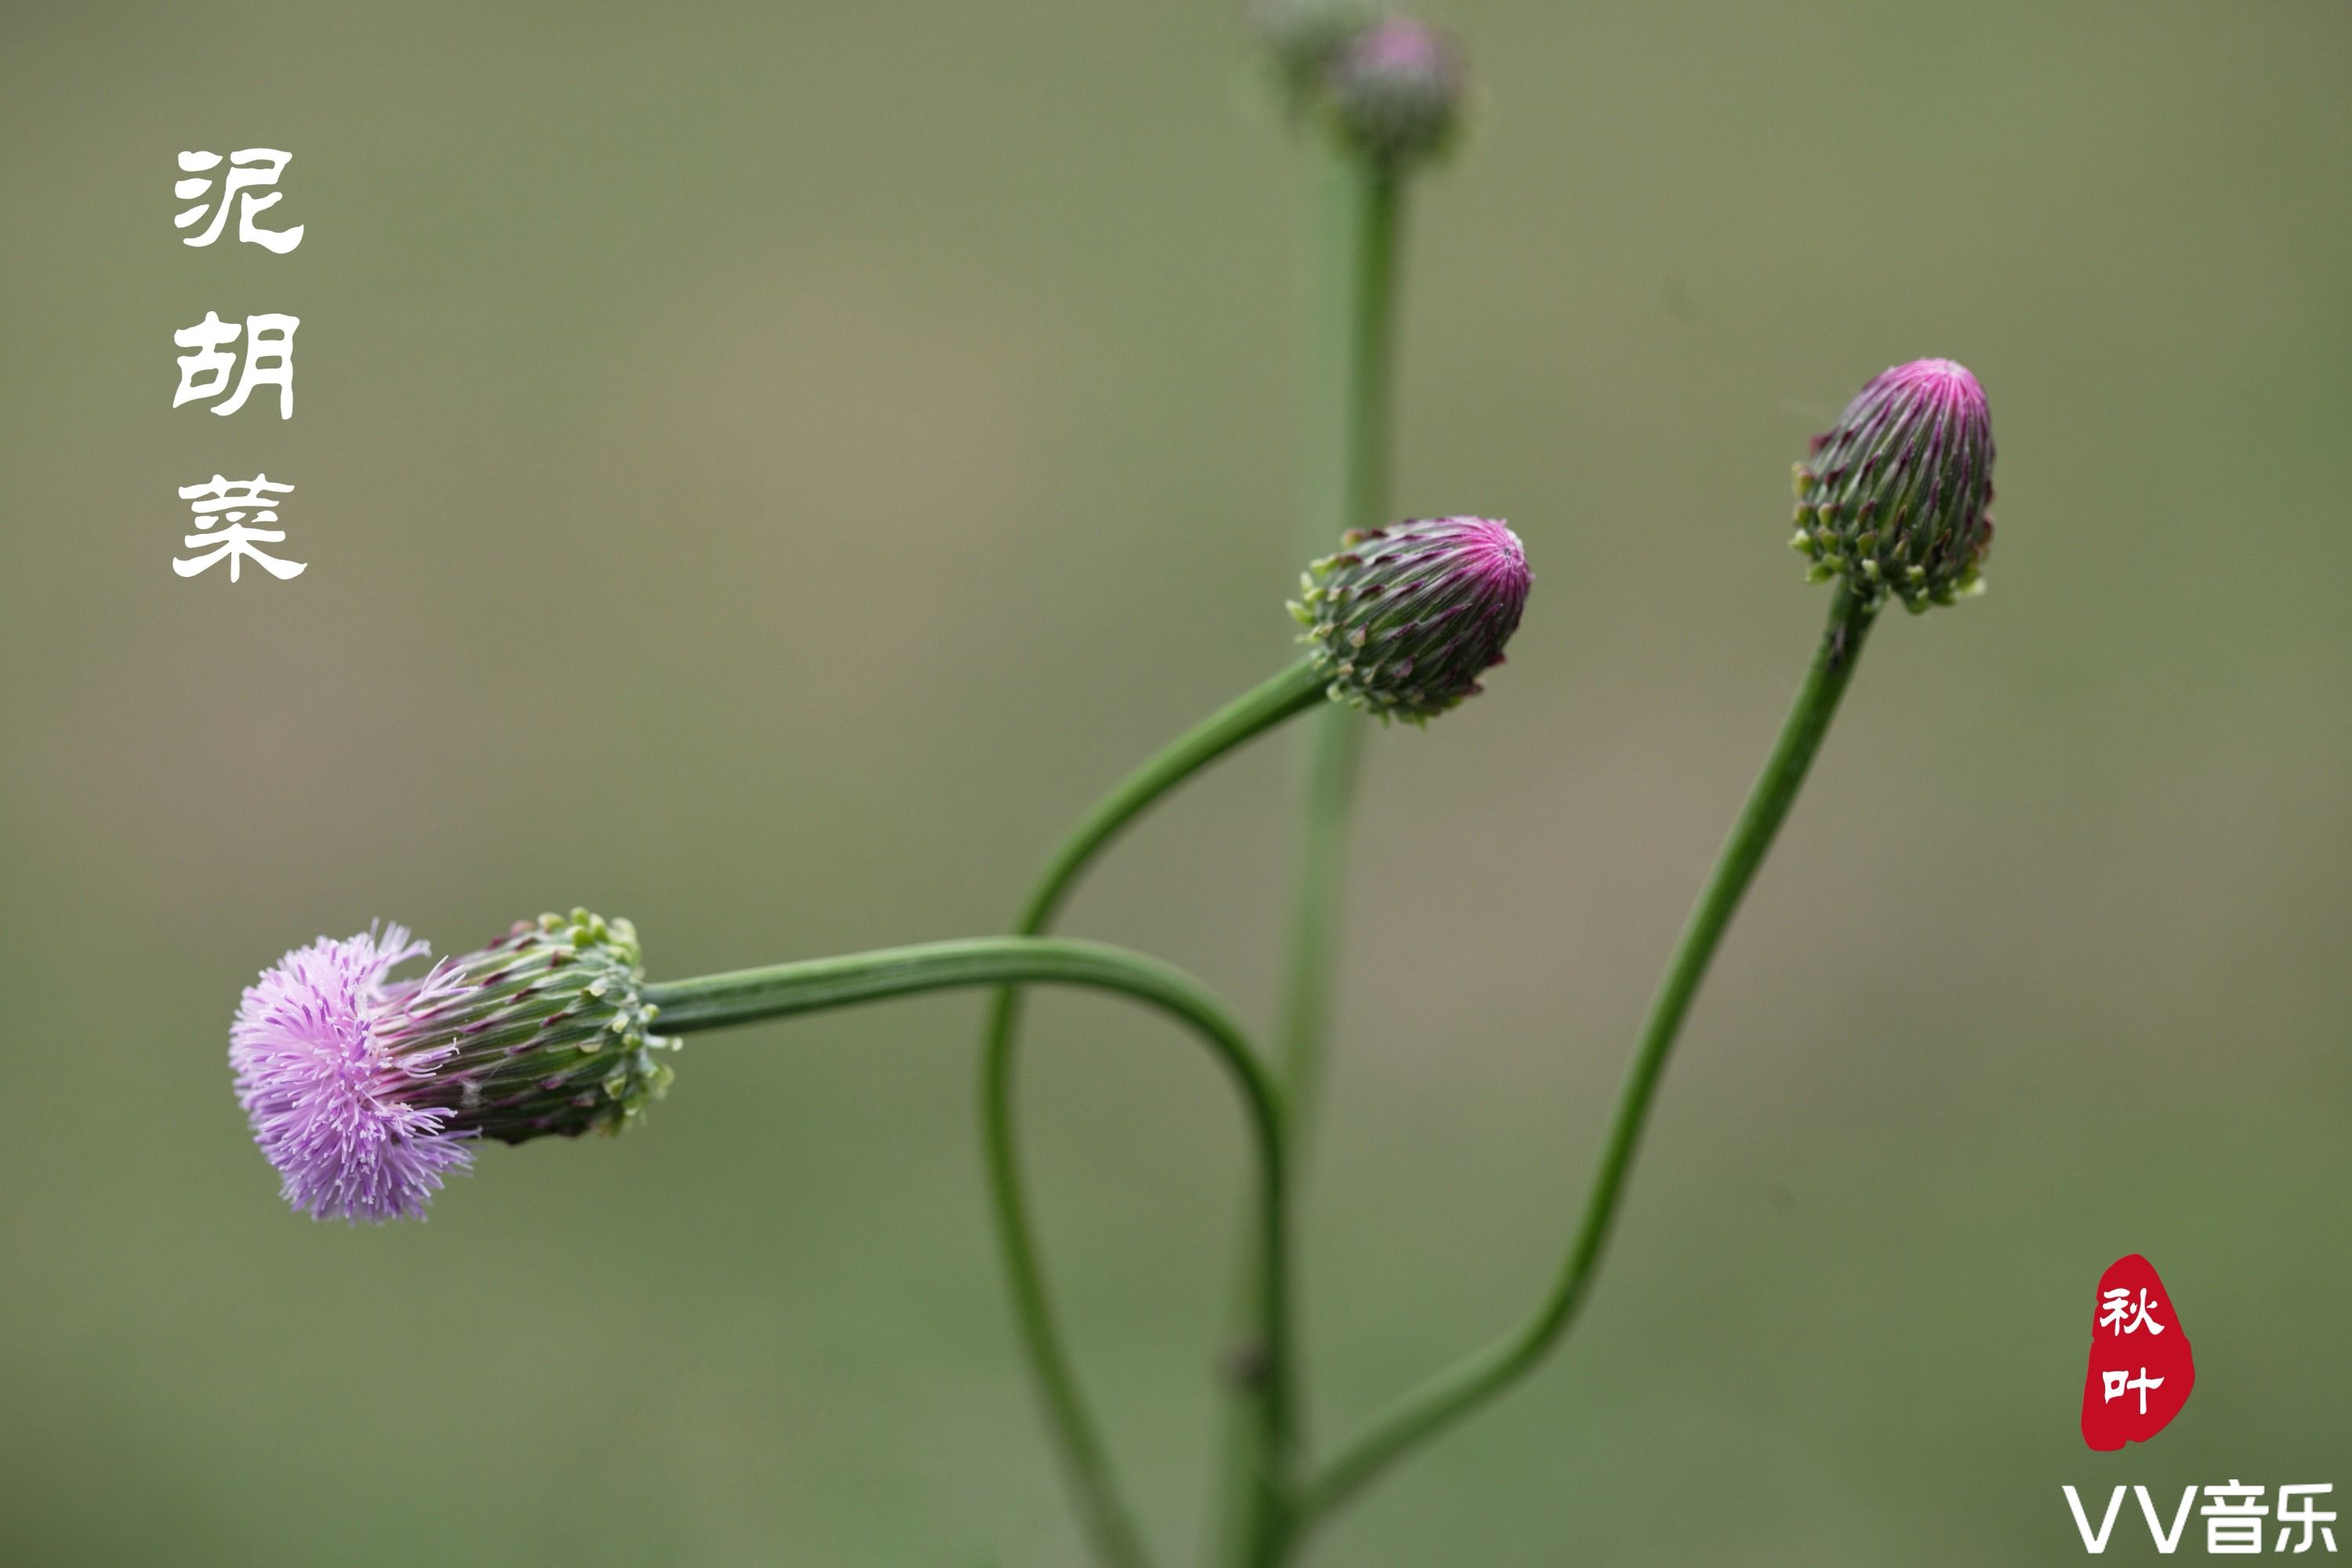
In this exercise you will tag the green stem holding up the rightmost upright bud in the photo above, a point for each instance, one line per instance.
(1495, 1369)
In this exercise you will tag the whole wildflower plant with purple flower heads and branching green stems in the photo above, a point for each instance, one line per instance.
(373, 1076)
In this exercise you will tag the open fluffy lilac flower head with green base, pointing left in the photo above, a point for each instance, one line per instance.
(368, 1092)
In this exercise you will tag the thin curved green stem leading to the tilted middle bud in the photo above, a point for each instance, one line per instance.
(1078, 1438)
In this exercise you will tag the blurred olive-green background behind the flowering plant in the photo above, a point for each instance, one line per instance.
(766, 469)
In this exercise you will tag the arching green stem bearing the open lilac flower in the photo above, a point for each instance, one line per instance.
(782, 991)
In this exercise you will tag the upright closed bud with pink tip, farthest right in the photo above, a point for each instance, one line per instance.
(1895, 497)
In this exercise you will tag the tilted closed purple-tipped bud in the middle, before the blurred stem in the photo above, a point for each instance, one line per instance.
(1405, 619)
